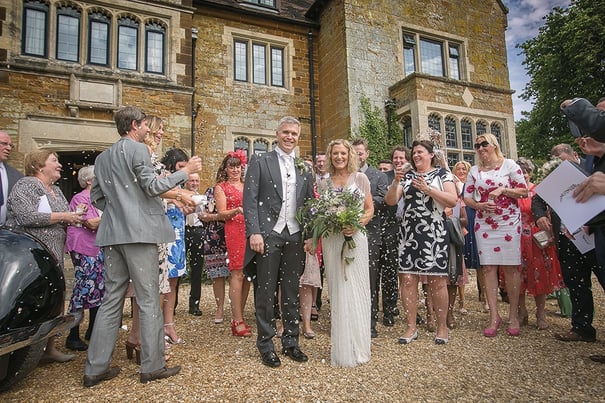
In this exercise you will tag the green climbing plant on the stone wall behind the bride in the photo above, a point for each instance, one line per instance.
(381, 133)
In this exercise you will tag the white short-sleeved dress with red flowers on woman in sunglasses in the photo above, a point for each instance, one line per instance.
(498, 233)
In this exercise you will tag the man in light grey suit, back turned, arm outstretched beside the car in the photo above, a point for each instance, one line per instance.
(133, 223)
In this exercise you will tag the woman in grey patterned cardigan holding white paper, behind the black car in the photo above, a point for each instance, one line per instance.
(38, 207)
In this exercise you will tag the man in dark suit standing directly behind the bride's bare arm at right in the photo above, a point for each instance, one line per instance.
(378, 187)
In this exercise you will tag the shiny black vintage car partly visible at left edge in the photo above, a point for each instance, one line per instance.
(32, 292)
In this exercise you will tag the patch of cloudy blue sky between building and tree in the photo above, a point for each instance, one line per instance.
(525, 17)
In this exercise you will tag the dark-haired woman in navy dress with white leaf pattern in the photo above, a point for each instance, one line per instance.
(424, 244)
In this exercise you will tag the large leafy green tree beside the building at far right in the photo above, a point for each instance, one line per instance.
(565, 60)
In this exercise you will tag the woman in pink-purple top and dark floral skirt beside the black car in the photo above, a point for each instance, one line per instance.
(89, 284)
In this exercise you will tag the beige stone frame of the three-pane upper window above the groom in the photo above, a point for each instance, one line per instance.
(232, 35)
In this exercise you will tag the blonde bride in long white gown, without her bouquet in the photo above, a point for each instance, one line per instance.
(348, 283)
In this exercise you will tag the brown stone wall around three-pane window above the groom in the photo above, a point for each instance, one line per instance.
(226, 104)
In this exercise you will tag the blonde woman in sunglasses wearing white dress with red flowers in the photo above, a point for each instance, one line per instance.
(493, 188)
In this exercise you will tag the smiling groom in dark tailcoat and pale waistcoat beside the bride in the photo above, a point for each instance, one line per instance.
(276, 185)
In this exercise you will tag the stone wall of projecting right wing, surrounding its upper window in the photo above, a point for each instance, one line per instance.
(362, 54)
